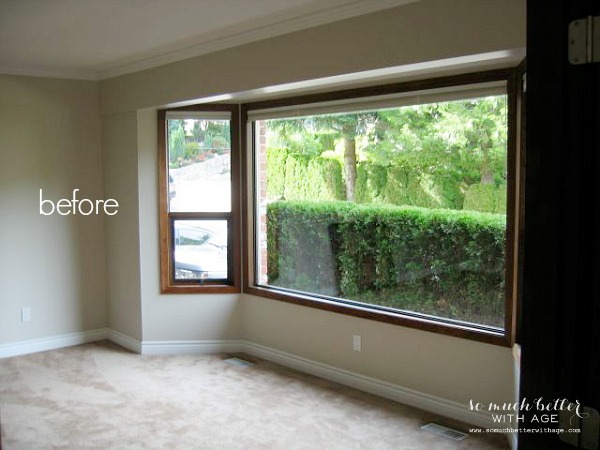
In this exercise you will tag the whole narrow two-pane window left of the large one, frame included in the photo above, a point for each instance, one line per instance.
(198, 176)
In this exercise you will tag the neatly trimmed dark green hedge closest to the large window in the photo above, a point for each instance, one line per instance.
(440, 262)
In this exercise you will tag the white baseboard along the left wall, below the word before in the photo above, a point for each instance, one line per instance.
(52, 342)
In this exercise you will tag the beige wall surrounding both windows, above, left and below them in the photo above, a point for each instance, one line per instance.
(447, 367)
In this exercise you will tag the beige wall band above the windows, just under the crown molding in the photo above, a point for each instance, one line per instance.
(424, 31)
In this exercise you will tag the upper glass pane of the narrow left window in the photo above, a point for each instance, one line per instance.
(199, 152)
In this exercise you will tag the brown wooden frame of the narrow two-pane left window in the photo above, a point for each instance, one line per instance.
(166, 218)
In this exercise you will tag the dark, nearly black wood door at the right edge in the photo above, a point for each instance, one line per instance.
(559, 326)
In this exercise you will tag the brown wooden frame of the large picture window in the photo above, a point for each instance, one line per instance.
(449, 327)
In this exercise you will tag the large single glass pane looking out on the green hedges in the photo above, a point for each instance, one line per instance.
(399, 208)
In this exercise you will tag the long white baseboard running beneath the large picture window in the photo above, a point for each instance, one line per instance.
(374, 386)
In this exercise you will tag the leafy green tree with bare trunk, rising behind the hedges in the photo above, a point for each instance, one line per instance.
(457, 143)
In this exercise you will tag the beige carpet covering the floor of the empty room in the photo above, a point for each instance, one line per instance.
(100, 396)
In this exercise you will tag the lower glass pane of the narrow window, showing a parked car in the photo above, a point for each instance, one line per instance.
(200, 249)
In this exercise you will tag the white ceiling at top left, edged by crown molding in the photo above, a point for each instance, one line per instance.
(97, 39)
